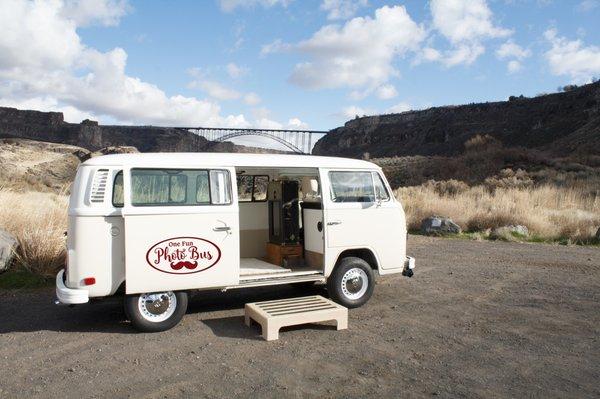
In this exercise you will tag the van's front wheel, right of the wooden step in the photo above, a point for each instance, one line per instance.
(339, 288)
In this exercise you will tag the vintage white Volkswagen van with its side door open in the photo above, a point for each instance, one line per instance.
(156, 226)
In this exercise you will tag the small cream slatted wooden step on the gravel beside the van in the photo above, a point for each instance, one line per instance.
(272, 315)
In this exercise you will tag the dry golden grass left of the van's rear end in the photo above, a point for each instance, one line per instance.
(38, 221)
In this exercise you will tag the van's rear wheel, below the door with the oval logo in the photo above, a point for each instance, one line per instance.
(134, 312)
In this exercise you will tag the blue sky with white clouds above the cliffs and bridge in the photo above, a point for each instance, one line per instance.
(286, 63)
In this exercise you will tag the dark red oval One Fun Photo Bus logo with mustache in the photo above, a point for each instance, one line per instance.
(183, 255)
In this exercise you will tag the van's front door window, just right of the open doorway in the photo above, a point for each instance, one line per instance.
(351, 187)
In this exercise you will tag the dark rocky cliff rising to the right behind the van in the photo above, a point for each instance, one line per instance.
(561, 123)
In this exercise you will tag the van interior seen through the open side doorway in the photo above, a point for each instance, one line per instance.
(281, 224)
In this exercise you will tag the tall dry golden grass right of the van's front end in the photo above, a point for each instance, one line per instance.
(555, 213)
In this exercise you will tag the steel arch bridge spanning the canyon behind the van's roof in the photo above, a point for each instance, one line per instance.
(299, 141)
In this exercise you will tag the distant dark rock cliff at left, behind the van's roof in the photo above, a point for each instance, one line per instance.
(51, 127)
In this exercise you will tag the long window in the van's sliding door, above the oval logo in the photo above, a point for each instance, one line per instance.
(171, 187)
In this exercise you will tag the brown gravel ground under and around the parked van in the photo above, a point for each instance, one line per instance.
(479, 319)
